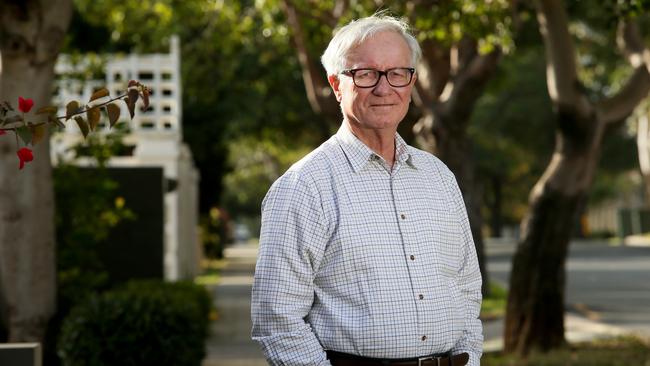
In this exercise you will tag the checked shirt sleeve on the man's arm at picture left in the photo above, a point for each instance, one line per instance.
(292, 241)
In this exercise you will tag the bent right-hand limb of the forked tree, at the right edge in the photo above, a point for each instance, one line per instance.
(636, 88)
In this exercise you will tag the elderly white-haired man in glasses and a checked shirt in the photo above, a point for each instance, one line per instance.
(366, 256)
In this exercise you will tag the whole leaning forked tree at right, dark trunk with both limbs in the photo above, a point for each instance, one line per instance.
(535, 310)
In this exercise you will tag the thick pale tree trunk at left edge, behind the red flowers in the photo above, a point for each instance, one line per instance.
(31, 34)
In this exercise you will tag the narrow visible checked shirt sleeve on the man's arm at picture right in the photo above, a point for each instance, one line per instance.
(469, 281)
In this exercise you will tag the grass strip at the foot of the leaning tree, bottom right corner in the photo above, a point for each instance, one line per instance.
(620, 351)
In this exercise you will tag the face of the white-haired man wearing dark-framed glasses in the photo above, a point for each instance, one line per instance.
(382, 106)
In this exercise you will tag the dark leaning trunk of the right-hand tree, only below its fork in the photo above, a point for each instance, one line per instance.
(535, 311)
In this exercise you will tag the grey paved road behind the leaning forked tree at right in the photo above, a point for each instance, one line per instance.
(609, 284)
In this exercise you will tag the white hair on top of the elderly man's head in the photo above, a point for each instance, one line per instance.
(357, 31)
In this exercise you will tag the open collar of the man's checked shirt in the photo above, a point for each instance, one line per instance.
(359, 154)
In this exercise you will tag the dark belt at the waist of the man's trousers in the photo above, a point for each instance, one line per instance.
(346, 359)
